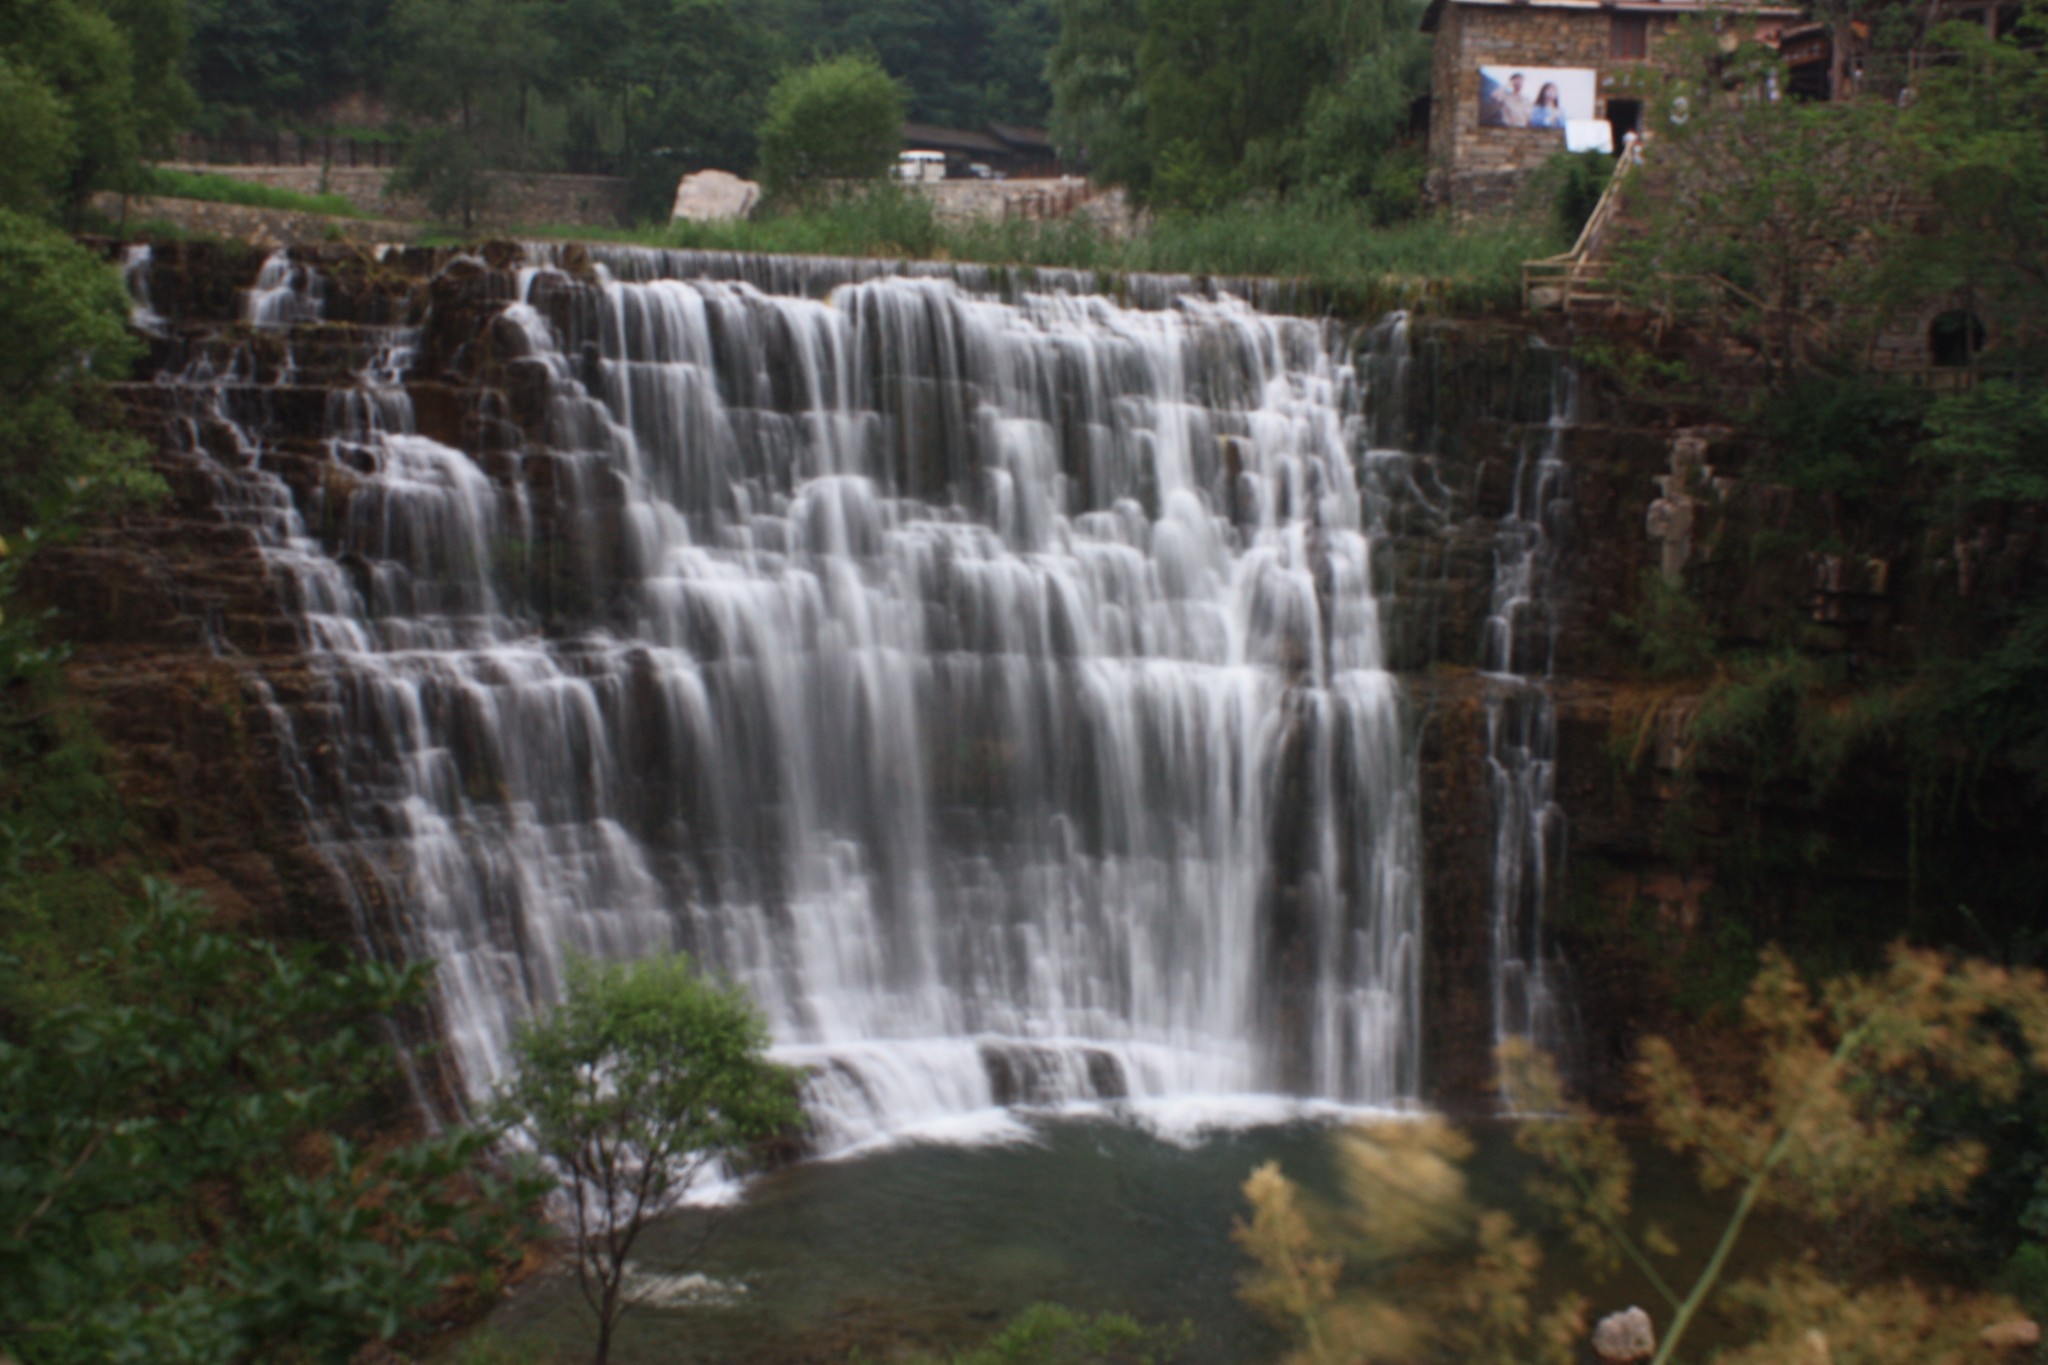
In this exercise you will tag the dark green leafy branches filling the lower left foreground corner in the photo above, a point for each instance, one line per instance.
(175, 1184)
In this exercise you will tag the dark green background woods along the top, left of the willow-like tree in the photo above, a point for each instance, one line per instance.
(648, 89)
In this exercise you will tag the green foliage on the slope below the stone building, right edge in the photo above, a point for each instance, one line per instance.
(1801, 226)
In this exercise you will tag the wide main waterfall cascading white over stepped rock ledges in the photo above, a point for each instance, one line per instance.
(980, 670)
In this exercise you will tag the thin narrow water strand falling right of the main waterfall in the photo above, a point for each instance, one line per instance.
(1531, 996)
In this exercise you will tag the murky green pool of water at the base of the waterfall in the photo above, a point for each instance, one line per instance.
(929, 1247)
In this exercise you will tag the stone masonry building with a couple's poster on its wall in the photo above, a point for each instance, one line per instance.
(1482, 148)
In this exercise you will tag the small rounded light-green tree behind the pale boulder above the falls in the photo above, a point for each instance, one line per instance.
(839, 120)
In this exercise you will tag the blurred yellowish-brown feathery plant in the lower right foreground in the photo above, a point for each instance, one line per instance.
(1834, 1133)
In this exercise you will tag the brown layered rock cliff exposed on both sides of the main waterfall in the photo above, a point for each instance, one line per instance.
(189, 652)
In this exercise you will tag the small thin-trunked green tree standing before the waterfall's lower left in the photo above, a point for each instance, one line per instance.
(638, 1082)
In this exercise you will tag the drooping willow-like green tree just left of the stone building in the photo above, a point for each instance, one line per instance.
(1197, 103)
